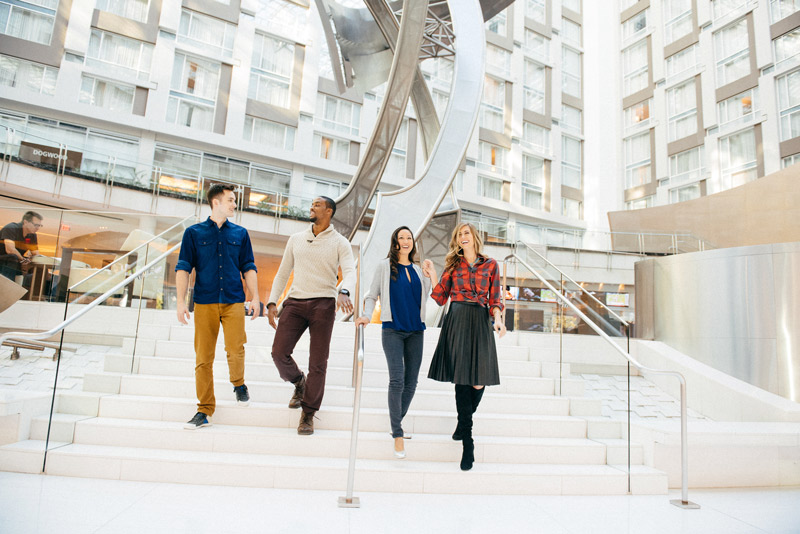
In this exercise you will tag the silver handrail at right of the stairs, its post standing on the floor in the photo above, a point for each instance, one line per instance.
(684, 501)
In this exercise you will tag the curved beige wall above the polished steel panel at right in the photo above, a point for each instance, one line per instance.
(764, 211)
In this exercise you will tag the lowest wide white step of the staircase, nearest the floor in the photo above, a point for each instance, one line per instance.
(325, 473)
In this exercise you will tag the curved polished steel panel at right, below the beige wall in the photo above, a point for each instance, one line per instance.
(735, 309)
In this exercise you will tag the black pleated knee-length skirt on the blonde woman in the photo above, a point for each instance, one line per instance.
(466, 353)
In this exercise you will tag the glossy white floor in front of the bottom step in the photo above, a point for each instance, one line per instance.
(47, 504)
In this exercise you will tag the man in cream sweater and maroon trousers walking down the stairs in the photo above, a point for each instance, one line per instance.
(315, 255)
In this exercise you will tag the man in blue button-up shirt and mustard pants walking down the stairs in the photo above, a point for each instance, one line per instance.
(221, 255)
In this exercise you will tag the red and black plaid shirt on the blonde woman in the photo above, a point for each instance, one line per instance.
(479, 283)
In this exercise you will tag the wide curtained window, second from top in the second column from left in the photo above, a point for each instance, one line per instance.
(118, 55)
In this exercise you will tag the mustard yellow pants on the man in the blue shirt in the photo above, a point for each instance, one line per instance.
(207, 320)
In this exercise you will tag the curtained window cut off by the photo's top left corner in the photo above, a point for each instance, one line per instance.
(31, 20)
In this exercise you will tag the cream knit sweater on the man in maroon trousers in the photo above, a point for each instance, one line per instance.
(315, 261)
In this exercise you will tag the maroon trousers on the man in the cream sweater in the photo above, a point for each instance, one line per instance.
(316, 315)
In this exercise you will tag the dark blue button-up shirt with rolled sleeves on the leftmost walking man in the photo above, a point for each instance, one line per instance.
(219, 255)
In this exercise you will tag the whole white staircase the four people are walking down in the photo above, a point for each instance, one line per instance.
(528, 439)
